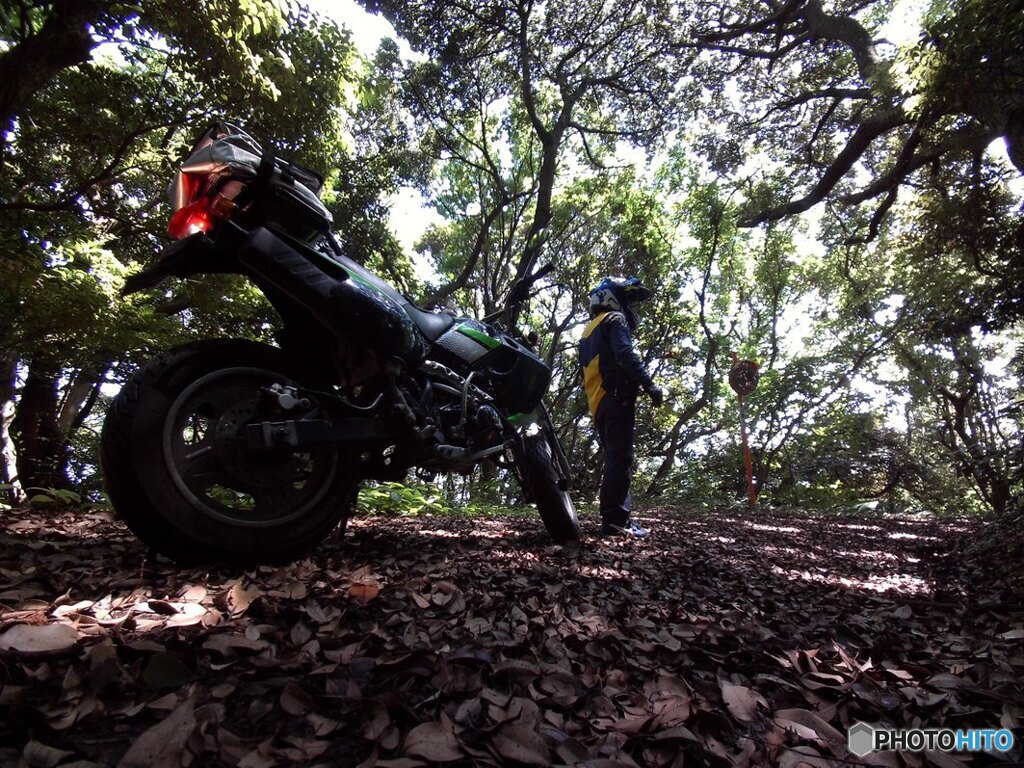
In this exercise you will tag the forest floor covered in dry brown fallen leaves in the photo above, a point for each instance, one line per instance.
(727, 638)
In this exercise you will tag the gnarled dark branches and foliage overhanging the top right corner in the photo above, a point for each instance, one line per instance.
(842, 120)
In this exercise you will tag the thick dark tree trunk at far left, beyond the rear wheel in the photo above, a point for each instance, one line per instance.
(42, 447)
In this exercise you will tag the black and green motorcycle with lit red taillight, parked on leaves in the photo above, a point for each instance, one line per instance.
(229, 450)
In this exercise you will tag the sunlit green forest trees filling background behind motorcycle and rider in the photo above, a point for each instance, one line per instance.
(842, 208)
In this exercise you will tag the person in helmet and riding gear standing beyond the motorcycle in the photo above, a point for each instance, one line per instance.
(613, 376)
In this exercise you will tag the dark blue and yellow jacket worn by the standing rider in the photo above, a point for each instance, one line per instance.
(610, 362)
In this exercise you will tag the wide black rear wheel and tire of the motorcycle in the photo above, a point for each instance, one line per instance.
(148, 482)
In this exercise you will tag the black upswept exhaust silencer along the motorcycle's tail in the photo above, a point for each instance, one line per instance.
(344, 306)
